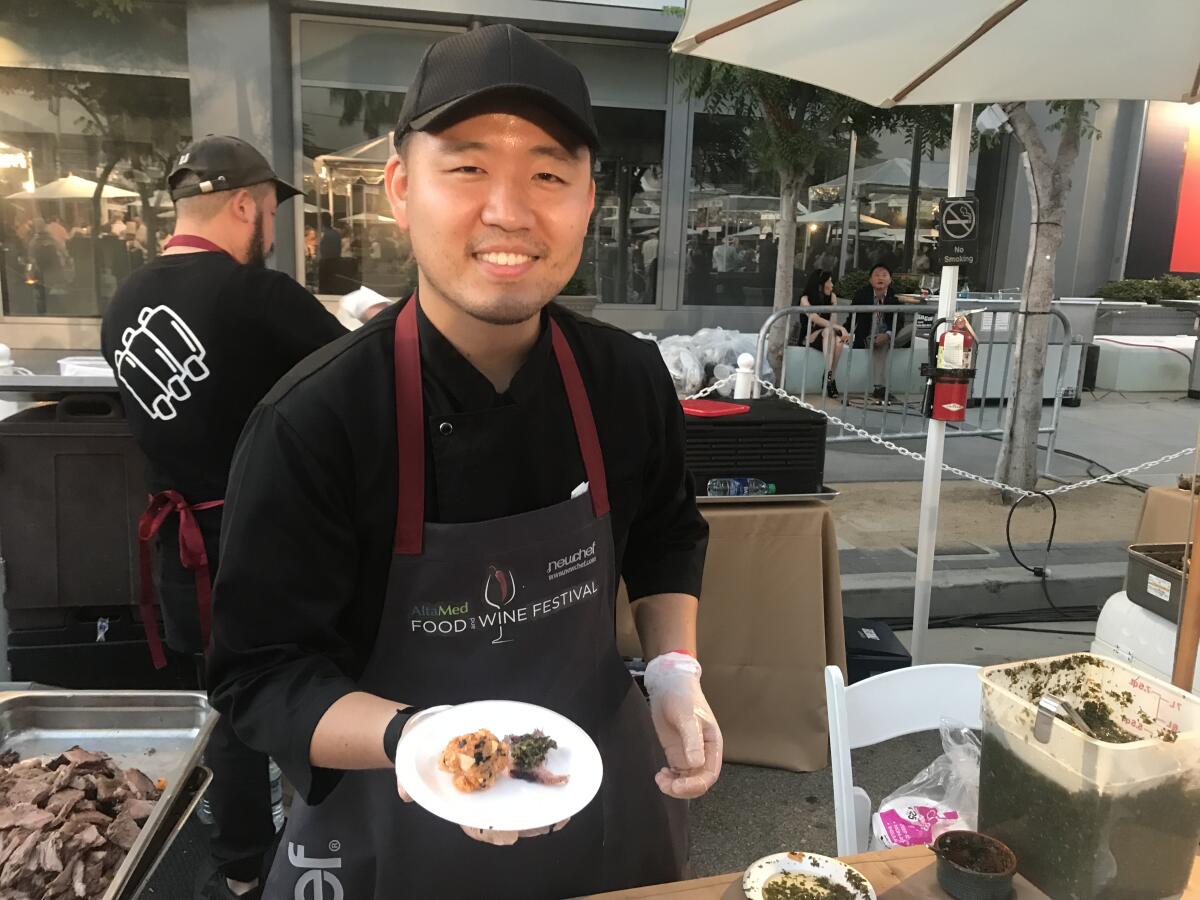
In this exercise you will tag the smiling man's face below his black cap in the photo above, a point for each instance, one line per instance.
(497, 207)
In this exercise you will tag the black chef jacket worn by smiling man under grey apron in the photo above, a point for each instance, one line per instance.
(311, 505)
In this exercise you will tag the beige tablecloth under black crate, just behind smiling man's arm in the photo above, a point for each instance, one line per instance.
(770, 623)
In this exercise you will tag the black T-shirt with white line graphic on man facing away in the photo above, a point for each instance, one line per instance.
(196, 340)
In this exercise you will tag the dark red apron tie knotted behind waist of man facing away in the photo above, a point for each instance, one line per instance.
(191, 554)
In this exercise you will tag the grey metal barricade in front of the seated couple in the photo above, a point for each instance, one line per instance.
(879, 381)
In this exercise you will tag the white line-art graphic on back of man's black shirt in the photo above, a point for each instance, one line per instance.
(159, 361)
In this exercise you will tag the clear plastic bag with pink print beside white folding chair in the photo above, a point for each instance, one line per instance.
(944, 797)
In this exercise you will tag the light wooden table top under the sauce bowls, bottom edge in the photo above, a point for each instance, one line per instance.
(905, 874)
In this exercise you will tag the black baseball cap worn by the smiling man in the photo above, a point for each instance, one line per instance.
(495, 59)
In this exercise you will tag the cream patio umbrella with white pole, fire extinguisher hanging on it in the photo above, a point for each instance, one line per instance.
(961, 52)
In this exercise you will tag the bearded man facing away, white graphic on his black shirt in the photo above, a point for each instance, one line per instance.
(196, 339)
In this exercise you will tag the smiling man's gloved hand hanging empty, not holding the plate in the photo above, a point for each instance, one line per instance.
(686, 727)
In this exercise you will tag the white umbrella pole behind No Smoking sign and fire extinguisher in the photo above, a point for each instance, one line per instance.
(932, 484)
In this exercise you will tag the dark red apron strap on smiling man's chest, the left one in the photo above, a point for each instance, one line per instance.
(410, 435)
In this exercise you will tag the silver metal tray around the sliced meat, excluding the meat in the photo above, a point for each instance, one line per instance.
(164, 734)
